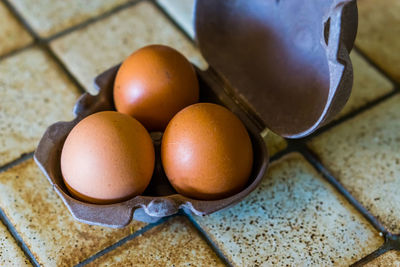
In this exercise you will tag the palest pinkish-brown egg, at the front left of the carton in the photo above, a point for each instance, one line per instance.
(108, 157)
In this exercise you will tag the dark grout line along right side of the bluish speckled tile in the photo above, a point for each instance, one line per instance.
(342, 190)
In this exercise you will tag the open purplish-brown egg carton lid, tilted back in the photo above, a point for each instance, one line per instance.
(287, 62)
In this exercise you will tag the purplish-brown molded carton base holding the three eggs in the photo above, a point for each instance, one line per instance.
(159, 199)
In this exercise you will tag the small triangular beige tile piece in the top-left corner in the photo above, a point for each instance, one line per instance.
(12, 34)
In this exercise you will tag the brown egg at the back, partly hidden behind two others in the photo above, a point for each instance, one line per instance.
(153, 84)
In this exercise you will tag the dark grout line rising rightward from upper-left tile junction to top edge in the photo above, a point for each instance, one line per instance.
(92, 20)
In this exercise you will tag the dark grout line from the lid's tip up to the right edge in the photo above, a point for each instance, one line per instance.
(350, 115)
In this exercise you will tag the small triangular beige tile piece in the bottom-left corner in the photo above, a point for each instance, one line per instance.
(10, 253)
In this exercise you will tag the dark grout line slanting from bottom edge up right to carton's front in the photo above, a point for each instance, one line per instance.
(124, 240)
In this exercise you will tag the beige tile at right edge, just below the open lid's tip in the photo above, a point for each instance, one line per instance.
(364, 154)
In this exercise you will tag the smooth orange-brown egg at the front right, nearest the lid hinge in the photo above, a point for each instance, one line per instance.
(206, 152)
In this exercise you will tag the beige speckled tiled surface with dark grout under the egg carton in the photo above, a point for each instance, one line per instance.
(328, 200)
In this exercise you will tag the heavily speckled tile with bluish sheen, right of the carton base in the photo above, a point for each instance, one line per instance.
(293, 218)
